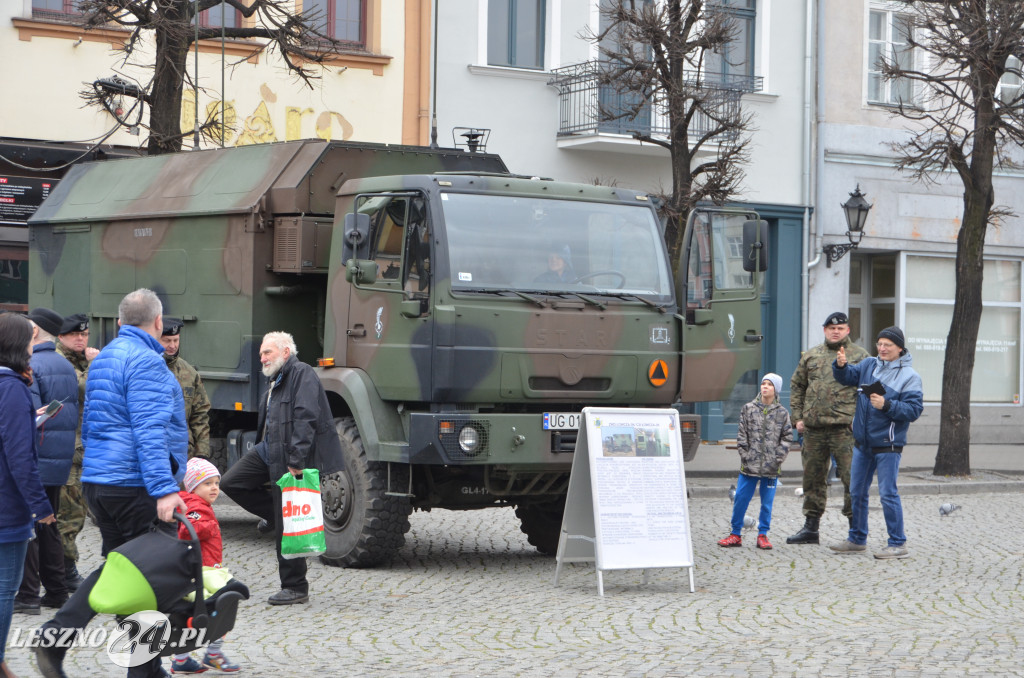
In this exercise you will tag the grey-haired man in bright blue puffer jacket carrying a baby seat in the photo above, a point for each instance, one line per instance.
(136, 440)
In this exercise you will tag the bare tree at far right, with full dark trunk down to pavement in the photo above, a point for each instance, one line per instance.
(964, 122)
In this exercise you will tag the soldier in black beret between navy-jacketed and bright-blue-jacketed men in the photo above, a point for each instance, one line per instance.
(73, 345)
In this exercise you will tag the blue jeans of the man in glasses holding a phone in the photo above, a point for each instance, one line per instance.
(866, 464)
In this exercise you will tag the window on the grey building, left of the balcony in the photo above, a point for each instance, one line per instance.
(516, 33)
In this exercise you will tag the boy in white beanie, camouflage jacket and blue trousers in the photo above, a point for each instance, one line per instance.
(763, 442)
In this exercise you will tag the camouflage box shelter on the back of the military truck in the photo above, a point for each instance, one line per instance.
(235, 241)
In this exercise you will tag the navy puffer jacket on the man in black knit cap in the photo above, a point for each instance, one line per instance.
(55, 379)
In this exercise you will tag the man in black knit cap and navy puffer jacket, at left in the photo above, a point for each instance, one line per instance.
(54, 380)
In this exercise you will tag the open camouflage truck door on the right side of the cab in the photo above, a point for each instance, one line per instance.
(721, 307)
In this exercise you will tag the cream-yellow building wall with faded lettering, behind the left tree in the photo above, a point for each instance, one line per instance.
(359, 97)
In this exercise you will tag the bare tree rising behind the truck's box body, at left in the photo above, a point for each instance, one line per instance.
(169, 26)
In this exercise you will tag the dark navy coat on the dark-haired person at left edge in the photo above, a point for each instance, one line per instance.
(23, 500)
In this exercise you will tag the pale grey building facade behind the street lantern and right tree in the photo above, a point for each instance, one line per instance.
(904, 271)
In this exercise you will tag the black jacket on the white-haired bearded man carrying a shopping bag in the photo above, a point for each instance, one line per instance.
(298, 428)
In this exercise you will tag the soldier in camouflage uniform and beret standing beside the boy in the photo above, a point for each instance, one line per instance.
(823, 412)
